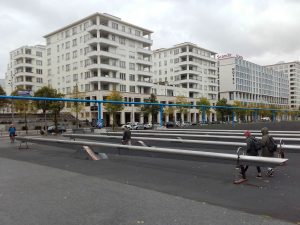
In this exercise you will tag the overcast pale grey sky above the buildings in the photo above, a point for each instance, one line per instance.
(262, 31)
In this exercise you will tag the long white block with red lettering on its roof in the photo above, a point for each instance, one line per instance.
(250, 83)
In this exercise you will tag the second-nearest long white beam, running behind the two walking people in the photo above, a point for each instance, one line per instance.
(227, 143)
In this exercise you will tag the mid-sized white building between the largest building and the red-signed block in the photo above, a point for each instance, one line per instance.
(188, 66)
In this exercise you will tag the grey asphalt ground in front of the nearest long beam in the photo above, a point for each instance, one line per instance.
(49, 185)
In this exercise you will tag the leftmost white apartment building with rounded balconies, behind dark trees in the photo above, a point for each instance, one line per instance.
(26, 69)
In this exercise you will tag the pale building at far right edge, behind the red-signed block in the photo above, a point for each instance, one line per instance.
(292, 70)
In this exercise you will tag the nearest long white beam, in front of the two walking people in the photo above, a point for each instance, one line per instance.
(168, 152)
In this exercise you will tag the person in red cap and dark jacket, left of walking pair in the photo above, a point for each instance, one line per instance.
(253, 146)
